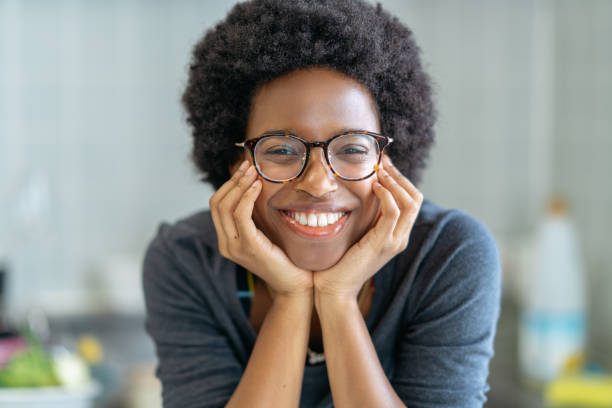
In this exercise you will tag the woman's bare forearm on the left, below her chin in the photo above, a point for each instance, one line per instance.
(273, 376)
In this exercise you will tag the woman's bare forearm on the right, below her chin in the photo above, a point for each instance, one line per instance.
(355, 374)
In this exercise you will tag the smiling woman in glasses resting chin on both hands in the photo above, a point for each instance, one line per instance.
(319, 276)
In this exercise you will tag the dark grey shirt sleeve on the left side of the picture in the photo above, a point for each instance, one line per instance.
(196, 364)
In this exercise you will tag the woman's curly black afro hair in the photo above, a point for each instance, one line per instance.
(261, 40)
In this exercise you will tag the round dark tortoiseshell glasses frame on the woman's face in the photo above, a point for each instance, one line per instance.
(383, 141)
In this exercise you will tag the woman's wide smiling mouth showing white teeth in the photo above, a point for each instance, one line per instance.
(315, 225)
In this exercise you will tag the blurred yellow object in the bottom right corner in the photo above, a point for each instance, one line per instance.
(588, 391)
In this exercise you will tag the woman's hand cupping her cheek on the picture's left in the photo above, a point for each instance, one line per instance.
(240, 240)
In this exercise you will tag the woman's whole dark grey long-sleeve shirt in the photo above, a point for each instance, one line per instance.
(432, 320)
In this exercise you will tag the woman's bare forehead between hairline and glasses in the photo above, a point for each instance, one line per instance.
(314, 103)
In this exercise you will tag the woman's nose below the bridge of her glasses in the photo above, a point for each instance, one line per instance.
(317, 178)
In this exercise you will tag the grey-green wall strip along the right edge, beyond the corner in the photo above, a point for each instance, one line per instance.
(583, 145)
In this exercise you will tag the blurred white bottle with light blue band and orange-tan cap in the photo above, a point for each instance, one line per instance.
(552, 328)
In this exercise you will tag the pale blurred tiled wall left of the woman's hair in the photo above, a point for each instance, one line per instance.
(93, 147)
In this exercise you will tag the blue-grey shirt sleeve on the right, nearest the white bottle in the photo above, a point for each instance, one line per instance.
(446, 344)
